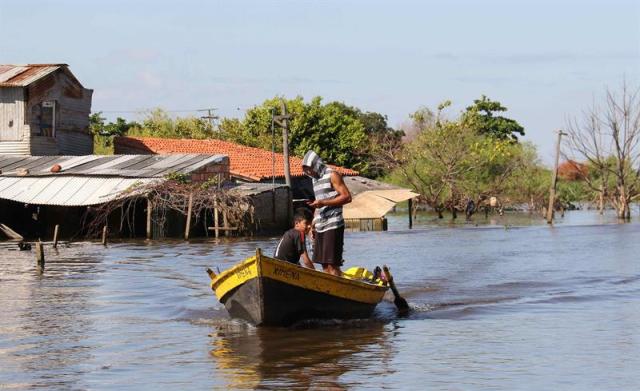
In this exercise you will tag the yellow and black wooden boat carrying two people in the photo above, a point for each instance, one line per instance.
(269, 292)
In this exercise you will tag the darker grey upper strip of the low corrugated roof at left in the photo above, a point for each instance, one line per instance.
(128, 166)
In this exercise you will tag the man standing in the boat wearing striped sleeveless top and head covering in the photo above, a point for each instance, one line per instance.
(331, 193)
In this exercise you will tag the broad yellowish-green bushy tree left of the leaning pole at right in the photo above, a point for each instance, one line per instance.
(450, 162)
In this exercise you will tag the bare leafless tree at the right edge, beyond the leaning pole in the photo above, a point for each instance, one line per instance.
(608, 139)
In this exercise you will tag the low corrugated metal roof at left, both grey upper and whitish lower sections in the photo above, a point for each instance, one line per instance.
(91, 179)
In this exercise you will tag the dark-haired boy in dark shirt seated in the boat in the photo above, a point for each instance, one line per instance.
(293, 244)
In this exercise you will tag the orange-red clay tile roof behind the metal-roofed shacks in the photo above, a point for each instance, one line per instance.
(246, 162)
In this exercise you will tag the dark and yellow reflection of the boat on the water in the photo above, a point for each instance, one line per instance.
(306, 356)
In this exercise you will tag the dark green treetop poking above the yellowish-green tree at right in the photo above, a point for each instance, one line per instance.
(481, 117)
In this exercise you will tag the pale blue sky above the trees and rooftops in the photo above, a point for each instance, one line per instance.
(545, 60)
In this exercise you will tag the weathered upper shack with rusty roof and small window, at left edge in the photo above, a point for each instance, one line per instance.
(44, 110)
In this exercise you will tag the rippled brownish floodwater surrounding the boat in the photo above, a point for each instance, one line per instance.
(526, 307)
